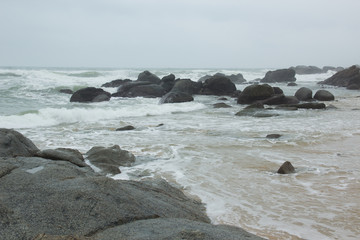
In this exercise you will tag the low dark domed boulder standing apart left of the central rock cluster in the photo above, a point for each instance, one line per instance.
(90, 94)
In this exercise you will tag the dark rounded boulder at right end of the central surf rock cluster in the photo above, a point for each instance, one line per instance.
(218, 85)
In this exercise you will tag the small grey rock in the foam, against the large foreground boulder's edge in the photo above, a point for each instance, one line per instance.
(109, 159)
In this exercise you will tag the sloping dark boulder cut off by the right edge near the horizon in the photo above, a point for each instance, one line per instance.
(349, 78)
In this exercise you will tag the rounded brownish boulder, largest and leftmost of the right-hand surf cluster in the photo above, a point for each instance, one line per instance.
(254, 93)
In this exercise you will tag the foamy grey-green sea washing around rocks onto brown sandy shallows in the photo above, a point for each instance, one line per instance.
(211, 154)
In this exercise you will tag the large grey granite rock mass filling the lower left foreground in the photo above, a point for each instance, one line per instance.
(54, 194)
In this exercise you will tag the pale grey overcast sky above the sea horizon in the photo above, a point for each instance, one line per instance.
(179, 33)
